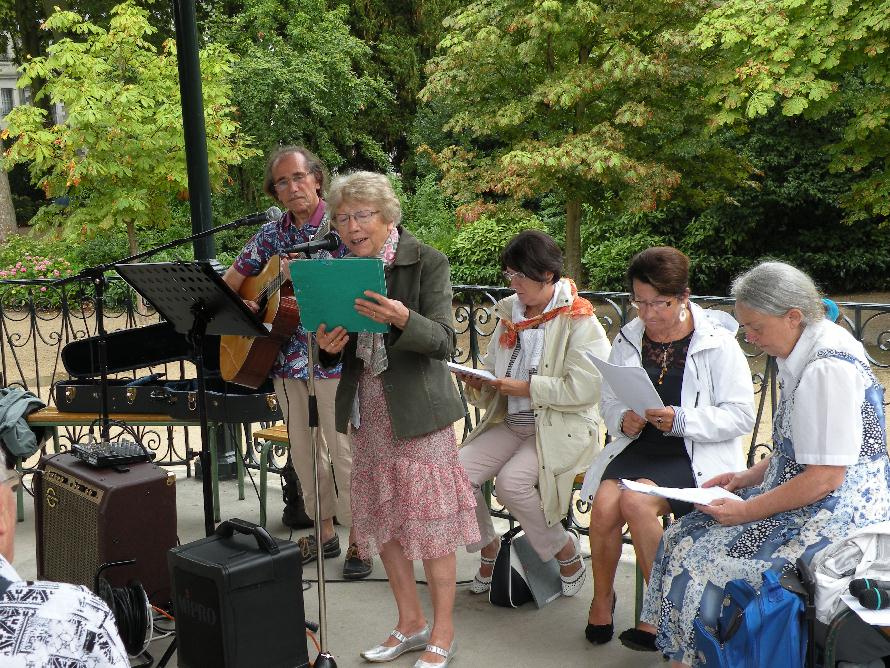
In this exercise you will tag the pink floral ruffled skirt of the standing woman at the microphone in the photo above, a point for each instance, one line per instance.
(411, 490)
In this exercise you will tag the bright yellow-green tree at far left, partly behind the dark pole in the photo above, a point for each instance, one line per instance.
(118, 158)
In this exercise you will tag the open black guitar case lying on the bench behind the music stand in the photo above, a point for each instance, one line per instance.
(151, 346)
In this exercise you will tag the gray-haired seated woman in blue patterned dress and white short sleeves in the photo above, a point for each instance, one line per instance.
(828, 474)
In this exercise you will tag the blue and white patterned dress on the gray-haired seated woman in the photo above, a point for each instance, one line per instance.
(698, 556)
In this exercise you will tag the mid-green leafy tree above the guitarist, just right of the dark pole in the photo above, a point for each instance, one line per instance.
(302, 79)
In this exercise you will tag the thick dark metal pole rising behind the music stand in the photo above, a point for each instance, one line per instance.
(190, 92)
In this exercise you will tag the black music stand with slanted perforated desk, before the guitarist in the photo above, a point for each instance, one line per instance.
(196, 300)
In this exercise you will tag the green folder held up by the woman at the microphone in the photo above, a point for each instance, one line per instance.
(326, 291)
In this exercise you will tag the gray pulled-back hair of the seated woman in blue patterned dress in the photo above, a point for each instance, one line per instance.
(775, 288)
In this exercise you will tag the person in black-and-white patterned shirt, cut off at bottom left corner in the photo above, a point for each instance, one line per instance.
(48, 623)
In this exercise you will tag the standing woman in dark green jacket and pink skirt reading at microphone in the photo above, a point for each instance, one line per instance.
(411, 498)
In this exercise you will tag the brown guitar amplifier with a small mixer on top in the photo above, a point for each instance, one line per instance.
(90, 516)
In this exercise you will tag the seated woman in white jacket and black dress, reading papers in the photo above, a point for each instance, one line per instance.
(701, 374)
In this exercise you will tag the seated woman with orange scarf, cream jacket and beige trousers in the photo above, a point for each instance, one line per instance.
(541, 423)
